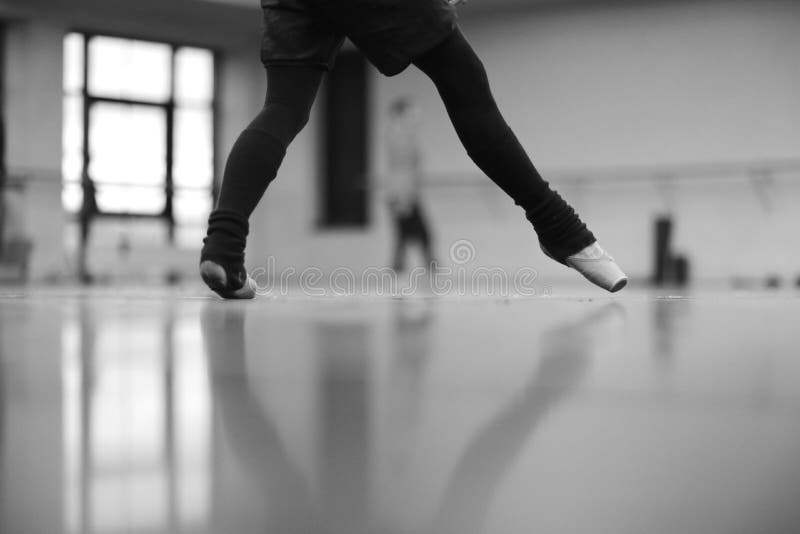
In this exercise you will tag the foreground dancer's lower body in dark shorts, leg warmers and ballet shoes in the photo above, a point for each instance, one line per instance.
(300, 42)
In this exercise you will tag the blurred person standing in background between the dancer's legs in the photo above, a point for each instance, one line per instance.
(404, 182)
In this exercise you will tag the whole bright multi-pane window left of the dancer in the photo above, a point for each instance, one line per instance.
(139, 122)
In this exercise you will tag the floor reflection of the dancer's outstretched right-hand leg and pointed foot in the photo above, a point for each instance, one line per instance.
(566, 352)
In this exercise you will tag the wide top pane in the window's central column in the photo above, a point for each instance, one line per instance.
(121, 68)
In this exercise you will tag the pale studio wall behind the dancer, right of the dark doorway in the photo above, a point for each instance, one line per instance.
(599, 87)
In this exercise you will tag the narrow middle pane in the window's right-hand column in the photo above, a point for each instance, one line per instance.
(193, 157)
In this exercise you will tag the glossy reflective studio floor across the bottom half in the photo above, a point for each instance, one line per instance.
(162, 414)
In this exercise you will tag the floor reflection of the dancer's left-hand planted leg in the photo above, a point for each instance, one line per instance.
(252, 435)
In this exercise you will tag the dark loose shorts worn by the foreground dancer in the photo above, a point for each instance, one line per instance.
(391, 33)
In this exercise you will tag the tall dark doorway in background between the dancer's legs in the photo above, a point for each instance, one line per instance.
(345, 144)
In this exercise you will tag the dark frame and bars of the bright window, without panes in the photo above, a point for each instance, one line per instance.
(169, 109)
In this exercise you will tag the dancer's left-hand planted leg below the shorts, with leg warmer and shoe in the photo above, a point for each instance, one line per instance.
(252, 164)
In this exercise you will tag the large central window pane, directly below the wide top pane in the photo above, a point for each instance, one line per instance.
(128, 144)
